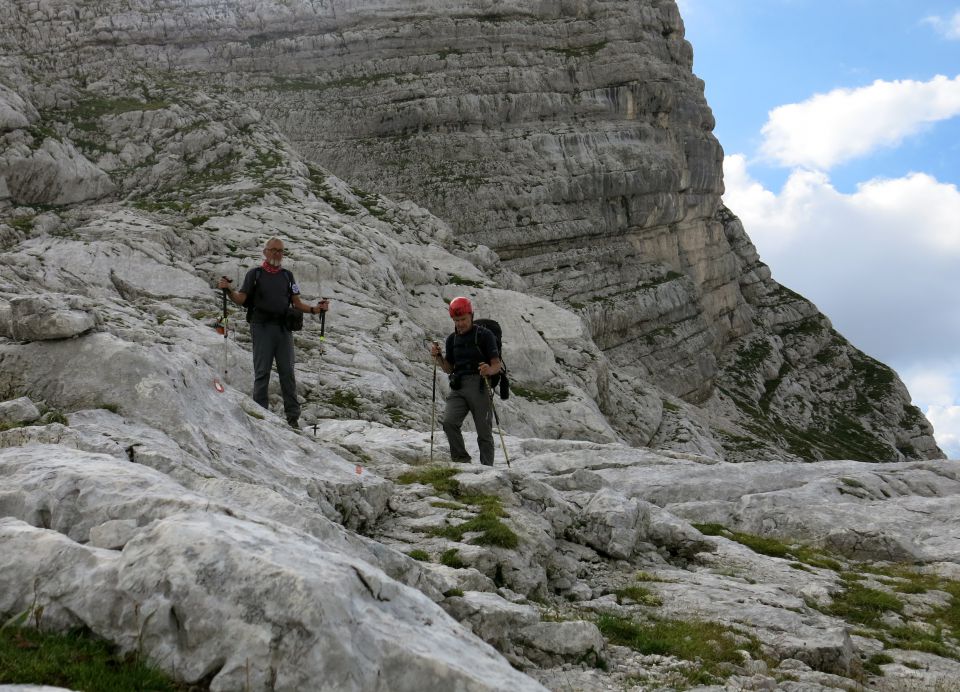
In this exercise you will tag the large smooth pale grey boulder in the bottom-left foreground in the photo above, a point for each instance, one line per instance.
(188, 593)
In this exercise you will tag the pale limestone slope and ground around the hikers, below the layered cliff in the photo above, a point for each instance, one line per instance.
(188, 524)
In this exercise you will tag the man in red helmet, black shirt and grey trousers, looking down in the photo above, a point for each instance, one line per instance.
(470, 355)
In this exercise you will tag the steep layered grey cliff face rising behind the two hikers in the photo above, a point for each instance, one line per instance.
(571, 137)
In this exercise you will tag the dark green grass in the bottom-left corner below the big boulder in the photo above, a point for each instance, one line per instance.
(75, 660)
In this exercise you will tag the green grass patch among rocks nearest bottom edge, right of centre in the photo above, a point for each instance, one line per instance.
(709, 644)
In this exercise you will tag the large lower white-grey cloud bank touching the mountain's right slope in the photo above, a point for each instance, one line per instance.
(880, 262)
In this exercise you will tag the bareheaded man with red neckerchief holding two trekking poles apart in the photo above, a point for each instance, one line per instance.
(272, 296)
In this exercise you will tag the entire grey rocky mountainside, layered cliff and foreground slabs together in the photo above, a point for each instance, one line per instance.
(654, 432)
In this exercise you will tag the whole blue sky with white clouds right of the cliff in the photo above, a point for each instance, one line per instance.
(840, 122)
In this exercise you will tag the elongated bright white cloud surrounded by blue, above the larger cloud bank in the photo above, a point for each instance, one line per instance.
(843, 124)
